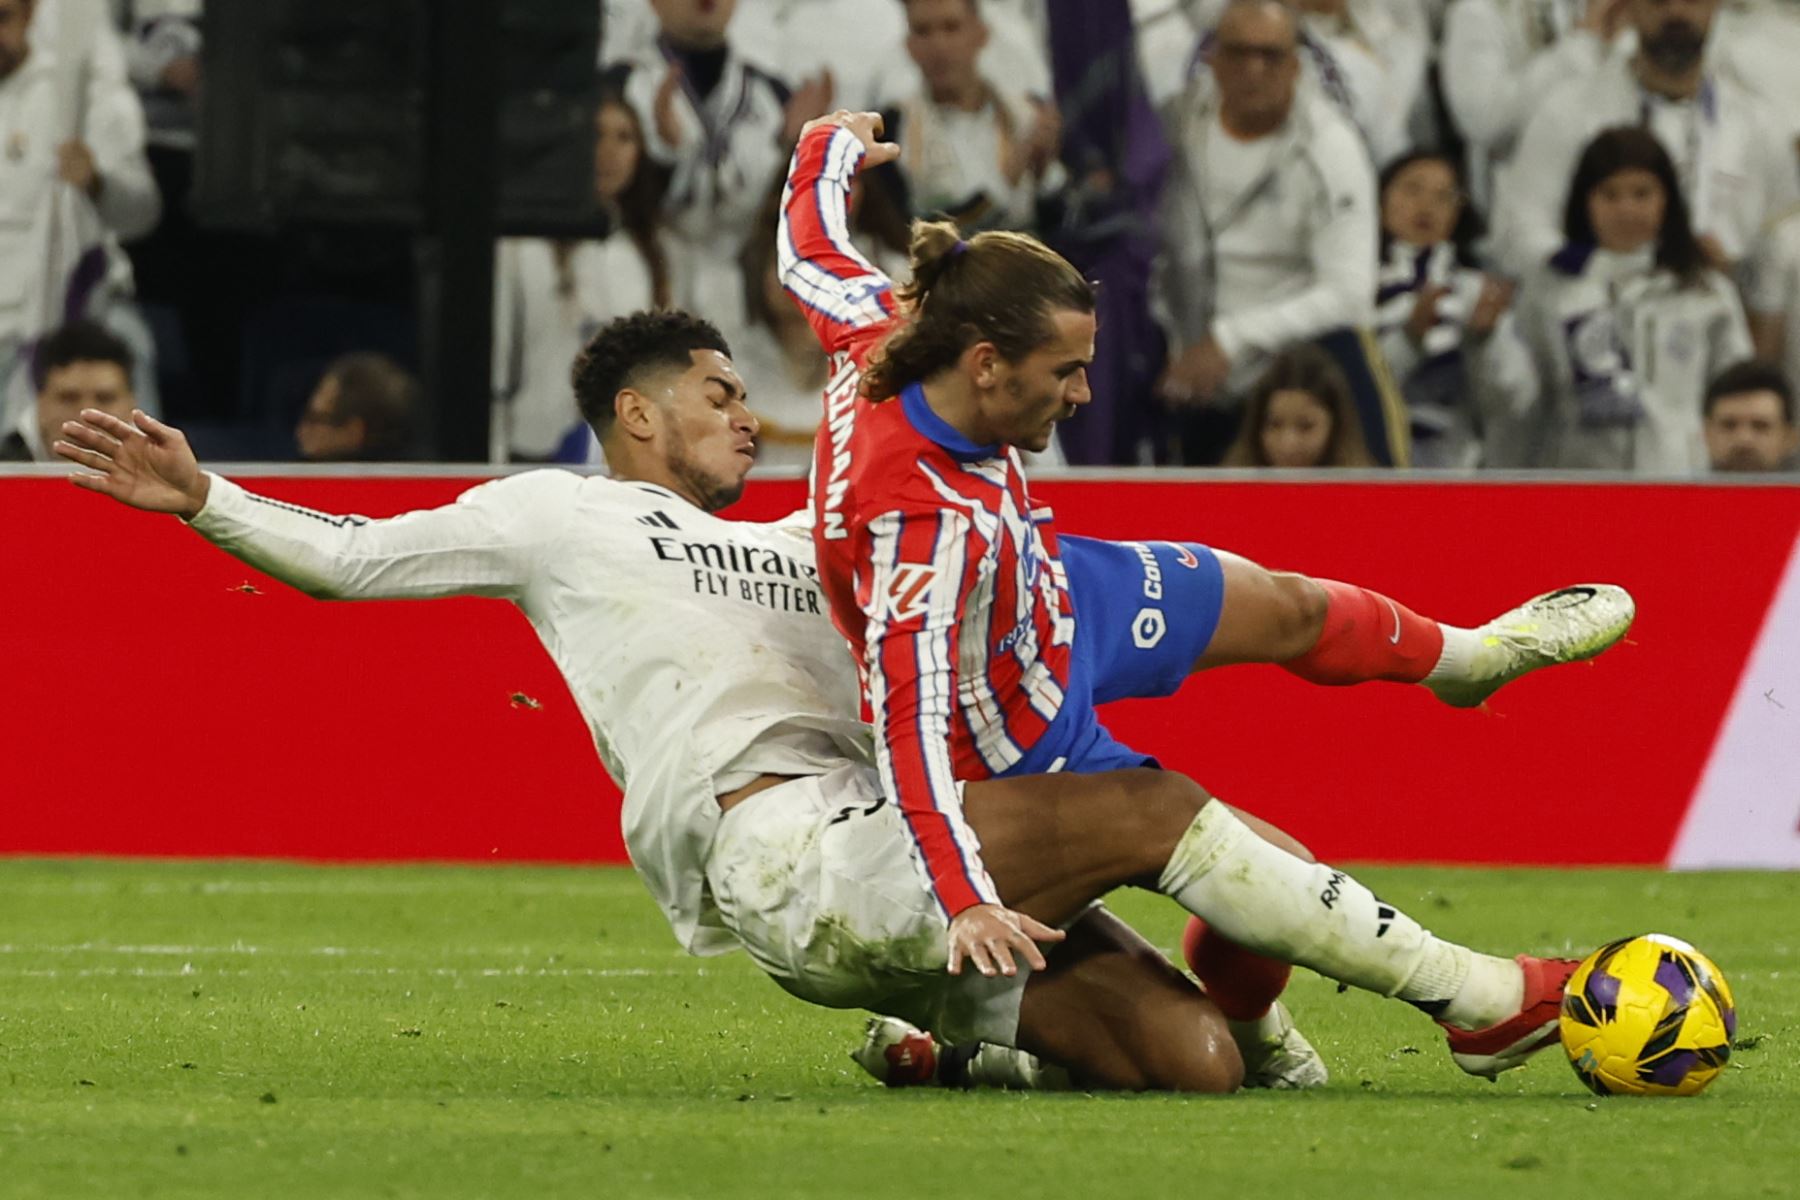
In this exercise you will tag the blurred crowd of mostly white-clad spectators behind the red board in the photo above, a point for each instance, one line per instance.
(1335, 233)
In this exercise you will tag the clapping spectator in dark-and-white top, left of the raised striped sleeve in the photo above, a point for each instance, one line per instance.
(723, 127)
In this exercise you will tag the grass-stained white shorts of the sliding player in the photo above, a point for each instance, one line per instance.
(823, 886)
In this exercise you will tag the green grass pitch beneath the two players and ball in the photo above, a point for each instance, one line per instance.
(251, 1030)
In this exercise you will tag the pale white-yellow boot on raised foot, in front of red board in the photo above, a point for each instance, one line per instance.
(1567, 625)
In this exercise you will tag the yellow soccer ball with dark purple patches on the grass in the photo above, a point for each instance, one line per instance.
(1648, 1016)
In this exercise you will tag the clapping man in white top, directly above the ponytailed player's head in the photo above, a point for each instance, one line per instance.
(976, 152)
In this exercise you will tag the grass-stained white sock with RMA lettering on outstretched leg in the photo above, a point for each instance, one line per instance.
(1317, 917)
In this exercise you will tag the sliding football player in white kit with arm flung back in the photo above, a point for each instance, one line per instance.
(726, 706)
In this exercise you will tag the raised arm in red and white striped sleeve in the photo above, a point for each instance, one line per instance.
(841, 292)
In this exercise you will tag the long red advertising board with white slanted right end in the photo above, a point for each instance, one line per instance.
(161, 699)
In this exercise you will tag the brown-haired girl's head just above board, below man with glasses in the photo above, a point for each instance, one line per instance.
(1300, 415)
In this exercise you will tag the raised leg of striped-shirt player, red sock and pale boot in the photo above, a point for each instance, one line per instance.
(1338, 634)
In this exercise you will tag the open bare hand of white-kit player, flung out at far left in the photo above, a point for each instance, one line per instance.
(143, 463)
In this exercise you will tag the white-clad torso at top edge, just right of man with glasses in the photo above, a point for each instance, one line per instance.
(1374, 55)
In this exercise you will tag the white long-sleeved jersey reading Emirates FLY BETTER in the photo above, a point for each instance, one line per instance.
(697, 649)
